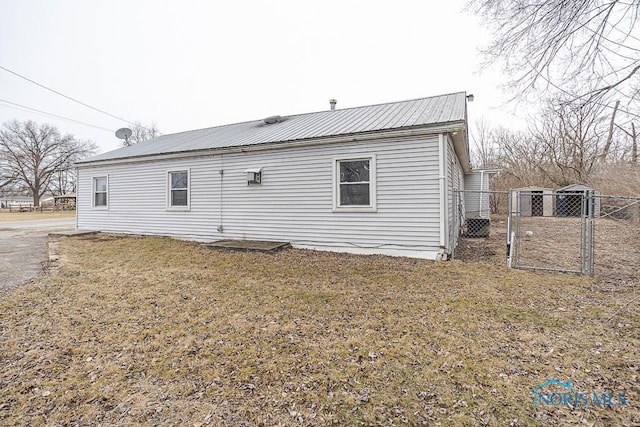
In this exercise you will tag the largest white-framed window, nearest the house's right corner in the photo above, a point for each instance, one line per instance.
(355, 184)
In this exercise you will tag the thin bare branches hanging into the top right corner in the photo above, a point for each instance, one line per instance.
(584, 47)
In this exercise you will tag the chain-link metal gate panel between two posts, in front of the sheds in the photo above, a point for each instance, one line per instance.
(557, 235)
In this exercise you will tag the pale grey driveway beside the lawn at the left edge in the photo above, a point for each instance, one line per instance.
(23, 247)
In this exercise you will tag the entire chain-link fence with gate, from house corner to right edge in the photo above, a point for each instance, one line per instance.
(568, 231)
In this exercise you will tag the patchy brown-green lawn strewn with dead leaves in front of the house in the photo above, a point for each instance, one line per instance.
(157, 331)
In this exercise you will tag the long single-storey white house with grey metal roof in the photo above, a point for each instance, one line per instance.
(370, 180)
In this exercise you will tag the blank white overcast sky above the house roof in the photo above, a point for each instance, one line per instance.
(195, 64)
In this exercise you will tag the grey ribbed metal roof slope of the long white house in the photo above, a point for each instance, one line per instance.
(422, 112)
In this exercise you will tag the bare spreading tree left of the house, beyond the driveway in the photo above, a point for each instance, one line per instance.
(33, 154)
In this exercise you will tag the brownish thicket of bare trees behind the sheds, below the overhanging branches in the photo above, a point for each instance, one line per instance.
(565, 144)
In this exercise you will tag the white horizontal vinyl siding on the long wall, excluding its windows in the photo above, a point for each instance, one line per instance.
(295, 202)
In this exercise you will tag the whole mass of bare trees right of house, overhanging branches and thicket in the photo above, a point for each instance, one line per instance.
(578, 64)
